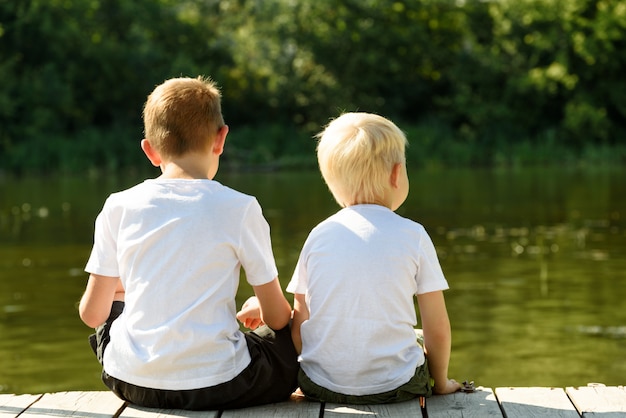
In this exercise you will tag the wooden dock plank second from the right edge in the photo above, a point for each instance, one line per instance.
(535, 402)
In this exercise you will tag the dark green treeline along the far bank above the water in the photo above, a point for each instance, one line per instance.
(471, 82)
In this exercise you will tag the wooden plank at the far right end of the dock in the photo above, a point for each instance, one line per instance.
(599, 400)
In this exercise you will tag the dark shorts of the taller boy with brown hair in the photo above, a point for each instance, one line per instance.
(271, 376)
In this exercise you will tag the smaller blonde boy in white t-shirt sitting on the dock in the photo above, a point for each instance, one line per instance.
(359, 272)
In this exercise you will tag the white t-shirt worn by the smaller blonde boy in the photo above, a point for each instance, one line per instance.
(360, 270)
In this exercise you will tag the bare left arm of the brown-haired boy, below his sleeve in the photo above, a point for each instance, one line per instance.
(95, 305)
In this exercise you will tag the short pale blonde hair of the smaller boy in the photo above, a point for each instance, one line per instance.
(356, 153)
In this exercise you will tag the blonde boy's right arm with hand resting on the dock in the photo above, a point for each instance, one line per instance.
(437, 340)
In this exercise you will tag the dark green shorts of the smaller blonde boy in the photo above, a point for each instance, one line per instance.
(419, 385)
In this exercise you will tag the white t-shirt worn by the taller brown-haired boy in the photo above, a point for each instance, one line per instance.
(178, 246)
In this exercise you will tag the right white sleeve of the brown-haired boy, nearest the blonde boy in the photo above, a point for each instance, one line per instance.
(255, 250)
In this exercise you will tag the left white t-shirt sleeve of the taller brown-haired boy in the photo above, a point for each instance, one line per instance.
(103, 257)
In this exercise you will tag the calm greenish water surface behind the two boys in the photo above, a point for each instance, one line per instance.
(534, 258)
